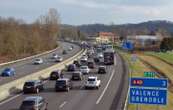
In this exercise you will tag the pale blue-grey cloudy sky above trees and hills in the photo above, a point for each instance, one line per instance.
(77, 12)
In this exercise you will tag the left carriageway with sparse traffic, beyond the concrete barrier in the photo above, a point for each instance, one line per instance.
(27, 67)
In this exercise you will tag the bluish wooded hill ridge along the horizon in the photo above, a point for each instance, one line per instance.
(140, 28)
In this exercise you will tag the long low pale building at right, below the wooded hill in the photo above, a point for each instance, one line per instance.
(145, 42)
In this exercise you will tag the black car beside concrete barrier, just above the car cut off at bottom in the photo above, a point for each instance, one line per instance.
(33, 86)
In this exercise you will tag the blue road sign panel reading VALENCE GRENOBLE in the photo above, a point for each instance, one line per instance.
(148, 96)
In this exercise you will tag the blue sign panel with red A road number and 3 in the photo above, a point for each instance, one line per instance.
(149, 82)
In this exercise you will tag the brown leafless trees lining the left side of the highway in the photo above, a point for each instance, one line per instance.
(18, 39)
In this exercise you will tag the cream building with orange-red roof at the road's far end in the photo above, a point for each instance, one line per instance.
(105, 37)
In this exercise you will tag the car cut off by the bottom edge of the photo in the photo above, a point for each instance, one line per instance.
(33, 103)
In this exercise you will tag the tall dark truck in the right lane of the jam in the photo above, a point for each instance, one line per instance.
(109, 57)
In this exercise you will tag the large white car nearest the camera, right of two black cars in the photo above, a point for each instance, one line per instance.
(92, 82)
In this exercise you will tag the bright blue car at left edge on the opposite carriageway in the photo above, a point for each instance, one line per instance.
(7, 72)
